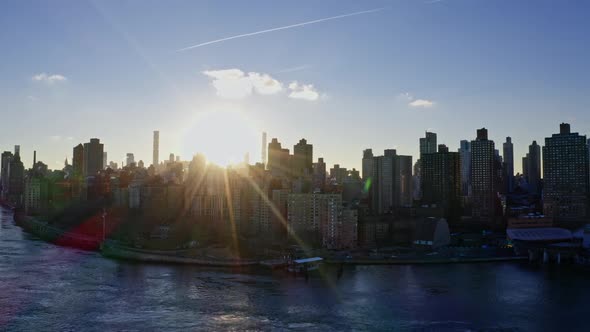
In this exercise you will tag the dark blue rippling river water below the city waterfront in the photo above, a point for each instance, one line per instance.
(45, 287)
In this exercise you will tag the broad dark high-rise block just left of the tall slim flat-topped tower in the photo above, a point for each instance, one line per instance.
(441, 178)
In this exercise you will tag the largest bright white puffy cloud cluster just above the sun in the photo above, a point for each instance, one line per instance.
(235, 83)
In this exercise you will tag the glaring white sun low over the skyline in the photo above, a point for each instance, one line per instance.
(223, 135)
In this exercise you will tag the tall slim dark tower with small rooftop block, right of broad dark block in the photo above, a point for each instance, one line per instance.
(483, 177)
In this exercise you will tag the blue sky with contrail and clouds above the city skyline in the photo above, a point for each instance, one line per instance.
(345, 75)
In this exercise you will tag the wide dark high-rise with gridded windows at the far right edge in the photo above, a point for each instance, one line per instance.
(565, 163)
